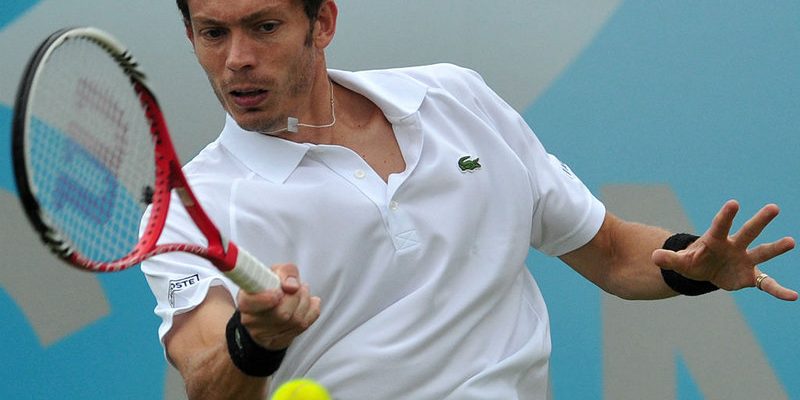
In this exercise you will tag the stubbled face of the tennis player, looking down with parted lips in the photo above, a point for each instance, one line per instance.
(258, 55)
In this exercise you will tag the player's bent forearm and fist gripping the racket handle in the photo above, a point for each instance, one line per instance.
(197, 344)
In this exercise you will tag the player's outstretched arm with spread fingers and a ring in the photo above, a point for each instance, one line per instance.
(625, 258)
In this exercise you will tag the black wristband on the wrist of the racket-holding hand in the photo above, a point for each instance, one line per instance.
(246, 354)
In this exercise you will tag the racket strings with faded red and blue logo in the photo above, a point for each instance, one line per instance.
(90, 152)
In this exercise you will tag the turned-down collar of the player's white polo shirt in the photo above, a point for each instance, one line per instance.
(274, 159)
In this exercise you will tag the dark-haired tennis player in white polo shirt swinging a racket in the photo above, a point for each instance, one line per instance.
(398, 207)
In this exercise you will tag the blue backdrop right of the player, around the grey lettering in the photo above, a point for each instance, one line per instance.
(703, 96)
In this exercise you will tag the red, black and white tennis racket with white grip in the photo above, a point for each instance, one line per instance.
(91, 153)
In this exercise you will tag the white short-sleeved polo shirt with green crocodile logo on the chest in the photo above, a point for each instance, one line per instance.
(425, 292)
